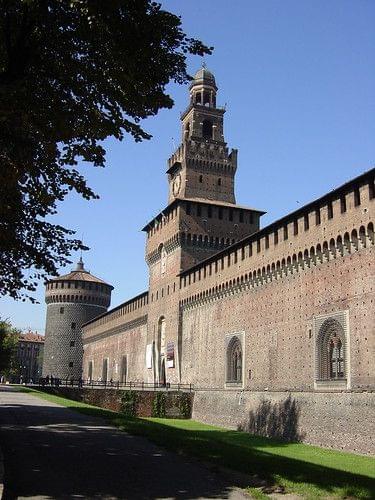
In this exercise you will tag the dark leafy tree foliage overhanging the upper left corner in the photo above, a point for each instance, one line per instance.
(72, 72)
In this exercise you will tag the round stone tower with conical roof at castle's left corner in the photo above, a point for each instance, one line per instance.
(72, 300)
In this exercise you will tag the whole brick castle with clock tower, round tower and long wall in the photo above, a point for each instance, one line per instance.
(264, 322)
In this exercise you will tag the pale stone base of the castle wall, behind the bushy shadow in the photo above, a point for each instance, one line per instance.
(343, 420)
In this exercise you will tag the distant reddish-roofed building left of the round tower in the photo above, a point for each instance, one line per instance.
(30, 356)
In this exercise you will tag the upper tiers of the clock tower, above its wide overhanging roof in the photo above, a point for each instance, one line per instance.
(202, 167)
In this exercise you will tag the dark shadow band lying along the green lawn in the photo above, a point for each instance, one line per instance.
(238, 451)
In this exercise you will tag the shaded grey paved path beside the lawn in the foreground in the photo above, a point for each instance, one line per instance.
(53, 452)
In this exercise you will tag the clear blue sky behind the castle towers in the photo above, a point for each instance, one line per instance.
(298, 79)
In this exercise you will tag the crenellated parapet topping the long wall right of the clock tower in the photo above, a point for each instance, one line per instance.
(334, 226)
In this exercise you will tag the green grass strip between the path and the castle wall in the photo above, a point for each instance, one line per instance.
(307, 470)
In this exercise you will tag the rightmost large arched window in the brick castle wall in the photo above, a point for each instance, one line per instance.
(331, 351)
